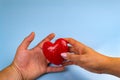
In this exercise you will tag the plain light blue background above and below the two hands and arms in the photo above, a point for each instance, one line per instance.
(96, 23)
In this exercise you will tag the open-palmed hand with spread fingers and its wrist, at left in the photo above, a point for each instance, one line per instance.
(29, 64)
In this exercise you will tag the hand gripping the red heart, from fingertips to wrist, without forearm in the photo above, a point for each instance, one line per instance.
(85, 57)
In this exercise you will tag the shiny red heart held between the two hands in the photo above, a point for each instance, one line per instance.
(52, 51)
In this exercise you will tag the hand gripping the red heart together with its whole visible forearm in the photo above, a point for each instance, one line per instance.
(90, 60)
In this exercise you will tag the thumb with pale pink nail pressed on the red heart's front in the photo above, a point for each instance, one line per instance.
(70, 56)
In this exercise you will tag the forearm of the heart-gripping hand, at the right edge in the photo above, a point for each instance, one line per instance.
(113, 66)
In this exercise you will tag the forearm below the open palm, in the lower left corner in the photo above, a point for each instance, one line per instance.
(10, 73)
